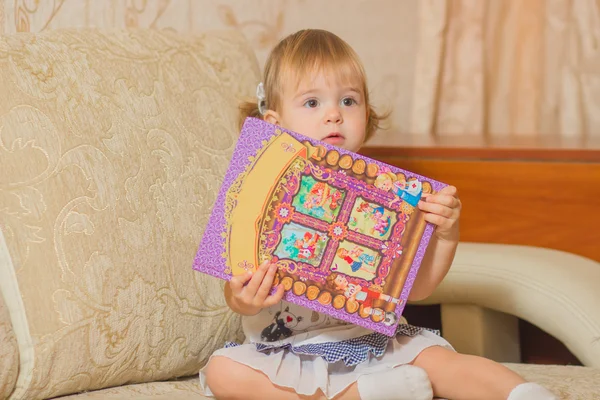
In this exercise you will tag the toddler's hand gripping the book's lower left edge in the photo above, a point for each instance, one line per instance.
(251, 298)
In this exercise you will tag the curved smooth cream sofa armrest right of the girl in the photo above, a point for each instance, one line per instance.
(557, 291)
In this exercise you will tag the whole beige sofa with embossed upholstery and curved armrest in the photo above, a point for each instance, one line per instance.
(112, 148)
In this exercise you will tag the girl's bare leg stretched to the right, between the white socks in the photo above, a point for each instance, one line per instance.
(465, 377)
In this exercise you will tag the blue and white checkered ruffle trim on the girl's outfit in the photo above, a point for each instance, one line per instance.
(351, 352)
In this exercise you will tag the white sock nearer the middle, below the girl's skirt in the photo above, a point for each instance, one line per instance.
(405, 382)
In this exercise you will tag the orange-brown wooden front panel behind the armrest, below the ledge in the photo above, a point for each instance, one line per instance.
(553, 205)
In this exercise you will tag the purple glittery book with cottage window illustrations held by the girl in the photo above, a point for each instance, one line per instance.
(344, 229)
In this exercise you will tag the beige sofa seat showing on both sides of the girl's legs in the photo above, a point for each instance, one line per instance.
(569, 383)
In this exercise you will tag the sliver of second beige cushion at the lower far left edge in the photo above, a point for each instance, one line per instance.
(9, 352)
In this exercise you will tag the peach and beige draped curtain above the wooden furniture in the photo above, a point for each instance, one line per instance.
(508, 67)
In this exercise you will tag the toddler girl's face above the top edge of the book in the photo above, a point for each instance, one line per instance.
(324, 109)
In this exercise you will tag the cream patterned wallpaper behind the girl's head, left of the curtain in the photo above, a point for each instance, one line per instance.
(389, 23)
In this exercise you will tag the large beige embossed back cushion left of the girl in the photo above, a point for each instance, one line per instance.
(112, 148)
